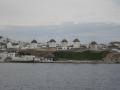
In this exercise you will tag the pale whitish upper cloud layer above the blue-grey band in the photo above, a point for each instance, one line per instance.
(44, 12)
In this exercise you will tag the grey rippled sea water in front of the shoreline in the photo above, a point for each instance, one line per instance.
(59, 76)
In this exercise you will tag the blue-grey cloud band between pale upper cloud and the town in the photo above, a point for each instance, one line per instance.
(99, 32)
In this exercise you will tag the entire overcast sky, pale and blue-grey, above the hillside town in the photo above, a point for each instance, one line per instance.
(33, 14)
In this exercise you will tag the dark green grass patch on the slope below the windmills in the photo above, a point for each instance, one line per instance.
(86, 55)
